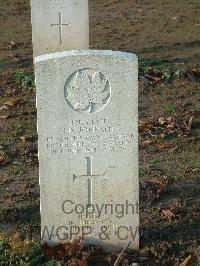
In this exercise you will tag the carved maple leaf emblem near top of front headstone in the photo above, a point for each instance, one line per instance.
(88, 92)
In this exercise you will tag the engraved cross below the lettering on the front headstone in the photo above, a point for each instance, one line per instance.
(89, 177)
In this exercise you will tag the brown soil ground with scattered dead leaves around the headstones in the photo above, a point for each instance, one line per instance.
(165, 36)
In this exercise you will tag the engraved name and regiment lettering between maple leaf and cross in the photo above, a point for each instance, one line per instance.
(89, 136)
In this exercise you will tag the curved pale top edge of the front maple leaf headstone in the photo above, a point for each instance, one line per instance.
(94, 53)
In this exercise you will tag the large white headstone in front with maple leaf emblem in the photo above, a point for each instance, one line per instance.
(87, 105)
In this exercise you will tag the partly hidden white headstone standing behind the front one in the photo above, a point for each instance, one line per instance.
(59, 25)
